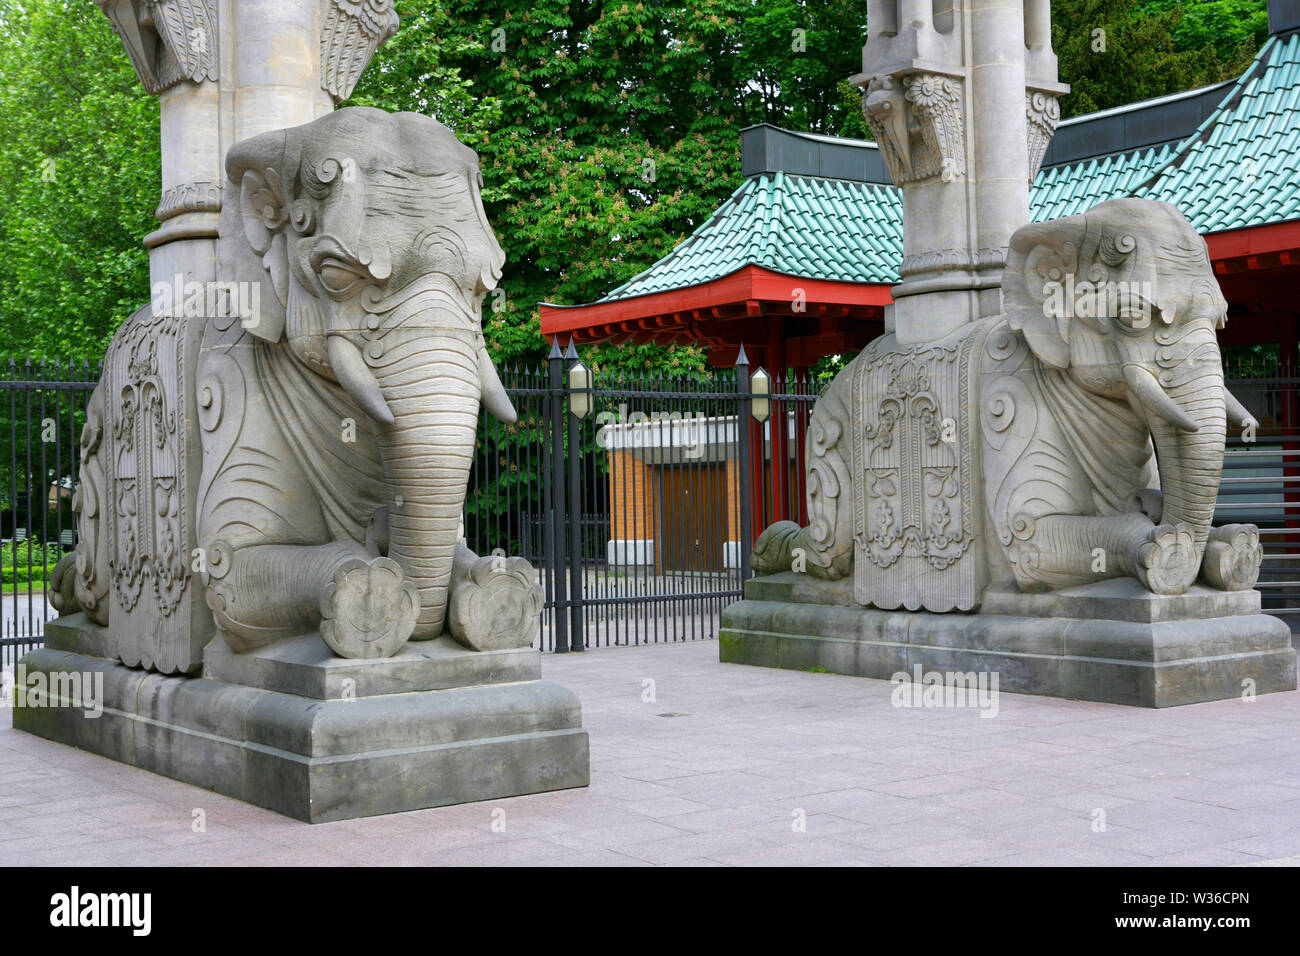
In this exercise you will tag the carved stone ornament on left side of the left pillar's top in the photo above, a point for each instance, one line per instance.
(168, 42)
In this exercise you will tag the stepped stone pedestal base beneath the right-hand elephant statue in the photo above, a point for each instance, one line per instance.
(1110, 642)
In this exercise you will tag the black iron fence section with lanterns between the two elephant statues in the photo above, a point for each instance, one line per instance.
(644, 496)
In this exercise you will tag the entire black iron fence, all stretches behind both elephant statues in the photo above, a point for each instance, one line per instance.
(636, 498)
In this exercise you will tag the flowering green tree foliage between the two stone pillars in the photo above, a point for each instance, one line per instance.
(608, 129)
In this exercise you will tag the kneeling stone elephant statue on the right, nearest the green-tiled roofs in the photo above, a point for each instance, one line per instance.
(1076, 438)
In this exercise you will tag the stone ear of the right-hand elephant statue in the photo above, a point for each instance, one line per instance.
(1039, 261)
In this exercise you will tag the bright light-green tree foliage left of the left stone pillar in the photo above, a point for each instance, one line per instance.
(80, 179)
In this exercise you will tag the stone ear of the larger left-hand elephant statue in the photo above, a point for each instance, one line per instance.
(255, 210)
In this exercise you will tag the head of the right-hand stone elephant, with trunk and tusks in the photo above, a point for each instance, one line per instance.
(1124, 301)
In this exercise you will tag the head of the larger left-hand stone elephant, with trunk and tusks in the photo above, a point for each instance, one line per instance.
(371, 231)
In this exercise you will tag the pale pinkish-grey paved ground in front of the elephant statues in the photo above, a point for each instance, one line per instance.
(723, 763)
